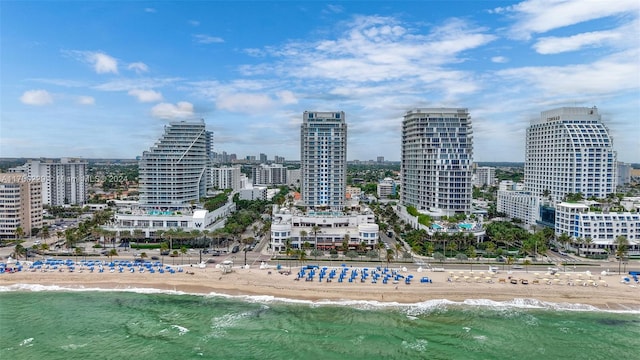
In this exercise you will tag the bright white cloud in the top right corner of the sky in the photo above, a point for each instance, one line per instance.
(540, 16)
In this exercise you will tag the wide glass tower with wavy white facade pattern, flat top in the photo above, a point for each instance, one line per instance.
(437, 158)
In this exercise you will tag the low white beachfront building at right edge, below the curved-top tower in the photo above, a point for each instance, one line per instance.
(596, 228)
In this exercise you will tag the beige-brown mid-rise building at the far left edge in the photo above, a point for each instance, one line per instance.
(20, 204)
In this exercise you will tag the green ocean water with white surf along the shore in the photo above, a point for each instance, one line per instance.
(38, 322)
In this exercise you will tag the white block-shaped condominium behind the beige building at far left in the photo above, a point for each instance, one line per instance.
(63, 182)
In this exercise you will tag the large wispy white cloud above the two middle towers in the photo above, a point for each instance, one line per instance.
(376, 49)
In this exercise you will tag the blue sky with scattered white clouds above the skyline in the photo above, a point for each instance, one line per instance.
(100, 79)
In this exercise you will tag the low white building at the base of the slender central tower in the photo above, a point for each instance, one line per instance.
(324, 230)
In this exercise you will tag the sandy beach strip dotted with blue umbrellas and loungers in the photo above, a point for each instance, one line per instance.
(565, 288)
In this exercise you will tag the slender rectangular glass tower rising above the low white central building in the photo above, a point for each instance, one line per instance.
(323, 159)
